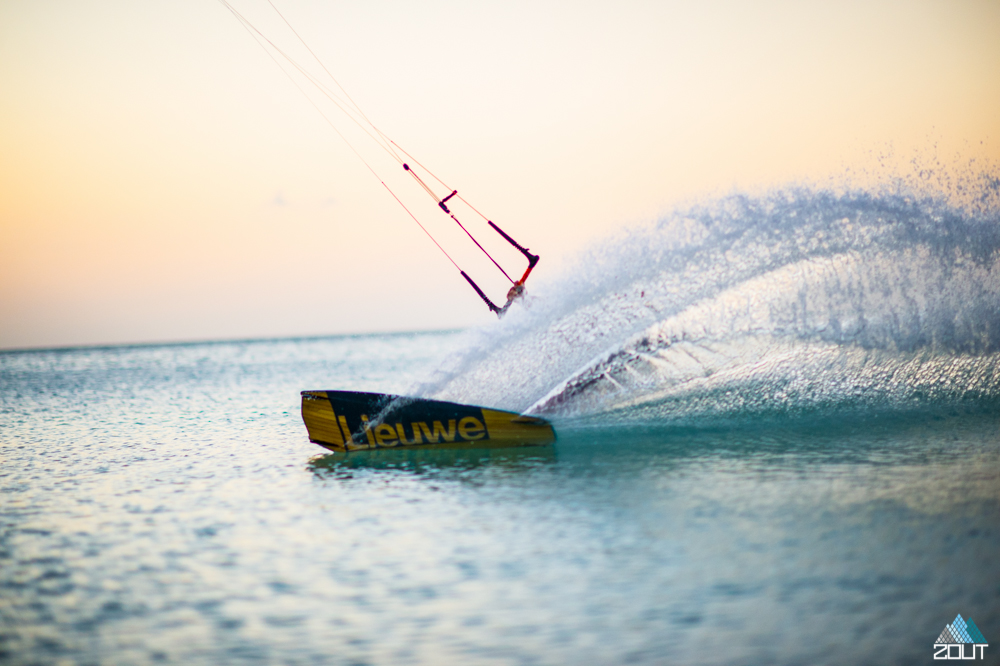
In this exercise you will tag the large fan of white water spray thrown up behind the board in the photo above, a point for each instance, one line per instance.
(802, 300)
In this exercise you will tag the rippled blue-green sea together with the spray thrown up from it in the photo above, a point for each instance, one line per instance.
(778, 442)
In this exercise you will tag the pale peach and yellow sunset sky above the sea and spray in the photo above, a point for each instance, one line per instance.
(162, 179)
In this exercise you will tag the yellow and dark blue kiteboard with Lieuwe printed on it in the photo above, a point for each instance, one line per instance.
(353, 420)
